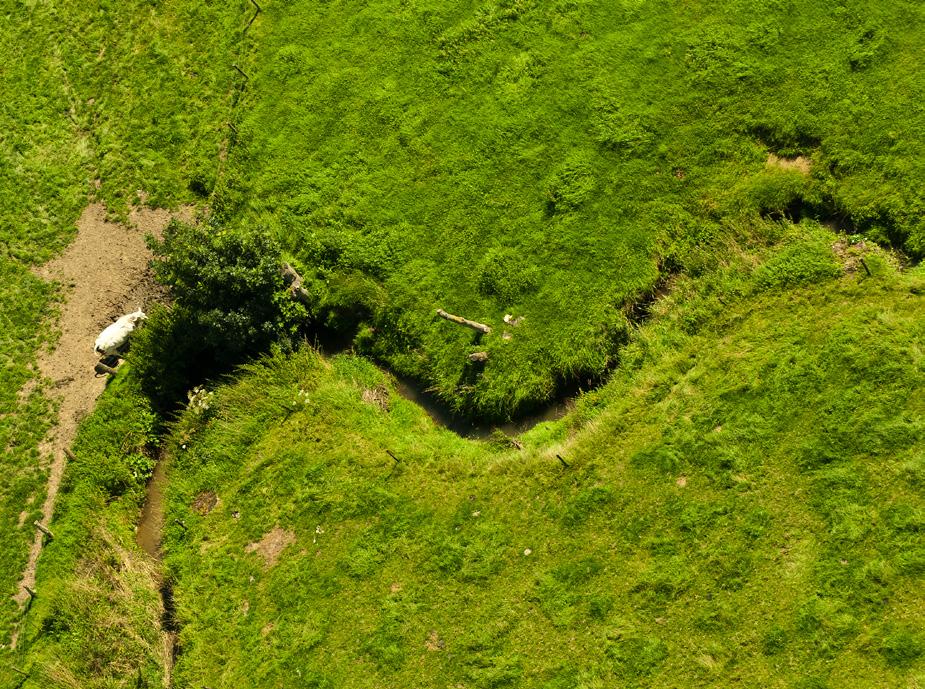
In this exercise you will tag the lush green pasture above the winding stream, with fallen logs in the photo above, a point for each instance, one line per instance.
(552, 159)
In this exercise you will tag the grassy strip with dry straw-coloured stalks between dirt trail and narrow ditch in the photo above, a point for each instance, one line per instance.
(96, 619)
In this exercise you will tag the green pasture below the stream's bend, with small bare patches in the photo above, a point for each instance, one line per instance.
(742, 505)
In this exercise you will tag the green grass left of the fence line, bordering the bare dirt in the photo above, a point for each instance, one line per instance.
(91, 92)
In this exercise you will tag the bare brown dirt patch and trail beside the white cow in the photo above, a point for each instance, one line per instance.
(104, 273)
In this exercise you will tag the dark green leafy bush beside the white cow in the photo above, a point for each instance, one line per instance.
(230, 301)
